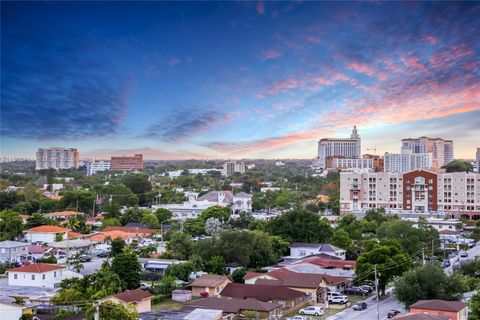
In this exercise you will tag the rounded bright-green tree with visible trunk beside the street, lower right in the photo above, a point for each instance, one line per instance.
(390, 260)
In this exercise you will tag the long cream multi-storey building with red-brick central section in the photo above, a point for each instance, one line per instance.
(457, 194)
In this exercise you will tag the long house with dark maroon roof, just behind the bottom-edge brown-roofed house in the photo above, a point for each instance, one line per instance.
(286, 297)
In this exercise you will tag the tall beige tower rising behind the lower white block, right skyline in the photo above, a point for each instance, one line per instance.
(441, 150)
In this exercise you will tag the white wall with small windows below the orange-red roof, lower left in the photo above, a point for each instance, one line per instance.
(25, 278)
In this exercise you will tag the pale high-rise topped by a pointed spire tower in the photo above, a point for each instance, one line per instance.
(349, 148)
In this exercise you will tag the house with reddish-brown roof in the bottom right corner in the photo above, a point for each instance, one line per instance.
(456, 310)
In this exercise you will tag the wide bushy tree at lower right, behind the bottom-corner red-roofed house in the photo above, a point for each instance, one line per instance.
(428, 282)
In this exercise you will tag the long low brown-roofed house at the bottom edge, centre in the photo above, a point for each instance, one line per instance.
(262, 310)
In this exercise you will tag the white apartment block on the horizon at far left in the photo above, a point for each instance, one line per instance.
(57, 158)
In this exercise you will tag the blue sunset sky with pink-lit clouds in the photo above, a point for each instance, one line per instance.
(226, 80)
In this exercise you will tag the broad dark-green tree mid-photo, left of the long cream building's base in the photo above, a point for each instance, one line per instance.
(300, 226)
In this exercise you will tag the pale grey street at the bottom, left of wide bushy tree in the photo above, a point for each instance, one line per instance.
(371, 312)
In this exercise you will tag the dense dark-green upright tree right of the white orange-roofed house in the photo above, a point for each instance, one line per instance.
(128, 268)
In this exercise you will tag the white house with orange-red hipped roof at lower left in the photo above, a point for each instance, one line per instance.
(36, 275)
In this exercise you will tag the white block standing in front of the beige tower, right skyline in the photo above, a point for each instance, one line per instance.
(407, 161)
